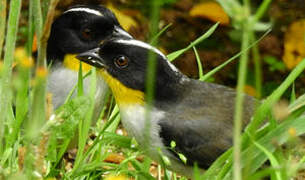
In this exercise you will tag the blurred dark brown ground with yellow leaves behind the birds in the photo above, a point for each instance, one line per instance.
(279, 51)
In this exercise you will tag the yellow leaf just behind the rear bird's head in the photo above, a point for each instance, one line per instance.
(126, 21)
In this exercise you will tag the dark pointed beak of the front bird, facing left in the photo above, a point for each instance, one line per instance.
(92, 57)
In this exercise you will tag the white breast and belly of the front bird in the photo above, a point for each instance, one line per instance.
(133, 119)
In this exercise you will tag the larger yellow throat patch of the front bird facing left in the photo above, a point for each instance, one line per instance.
(122, 94)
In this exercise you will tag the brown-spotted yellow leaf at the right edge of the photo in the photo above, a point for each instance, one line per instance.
(294, 44)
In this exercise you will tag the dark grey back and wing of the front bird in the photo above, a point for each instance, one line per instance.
(201, 123)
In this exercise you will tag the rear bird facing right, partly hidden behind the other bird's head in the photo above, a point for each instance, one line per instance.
(78, 29)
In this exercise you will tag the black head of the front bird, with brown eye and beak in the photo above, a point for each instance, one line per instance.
(126, 60)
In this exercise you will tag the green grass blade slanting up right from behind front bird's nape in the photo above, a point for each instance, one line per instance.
(172, 56)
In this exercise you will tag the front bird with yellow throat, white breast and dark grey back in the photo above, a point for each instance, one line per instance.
(197, 116)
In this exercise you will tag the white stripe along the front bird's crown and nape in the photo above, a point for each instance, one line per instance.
(149, 47)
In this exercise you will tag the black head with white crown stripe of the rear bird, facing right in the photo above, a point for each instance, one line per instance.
(81, 28)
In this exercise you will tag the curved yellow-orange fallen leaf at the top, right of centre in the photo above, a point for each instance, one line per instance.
(210, 10)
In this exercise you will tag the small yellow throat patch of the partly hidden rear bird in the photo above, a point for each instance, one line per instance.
(72, 63)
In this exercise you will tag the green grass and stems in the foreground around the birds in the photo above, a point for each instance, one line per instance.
(34, 139)
